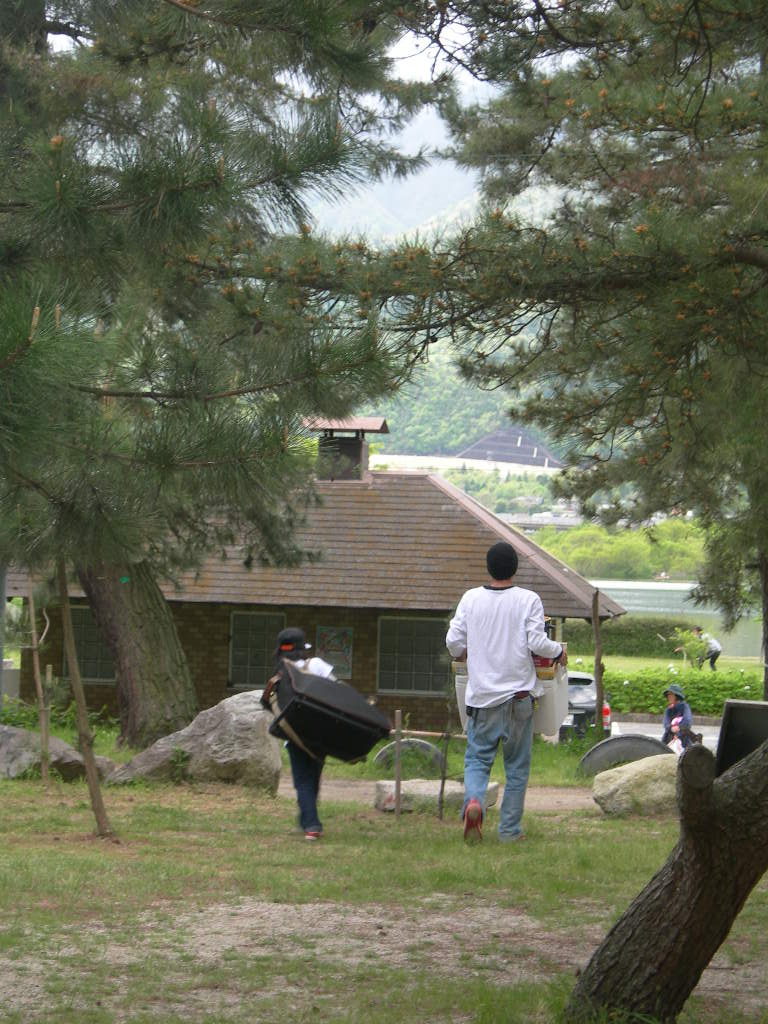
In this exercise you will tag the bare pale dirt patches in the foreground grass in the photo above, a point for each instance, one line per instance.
(442, 936)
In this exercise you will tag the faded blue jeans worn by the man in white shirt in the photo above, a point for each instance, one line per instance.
(510, 724)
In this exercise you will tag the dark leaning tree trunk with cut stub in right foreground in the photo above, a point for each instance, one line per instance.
(652, 960)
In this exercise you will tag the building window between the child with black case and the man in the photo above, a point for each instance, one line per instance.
(413, 658)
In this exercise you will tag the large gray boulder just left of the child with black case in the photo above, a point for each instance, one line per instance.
(229, 743)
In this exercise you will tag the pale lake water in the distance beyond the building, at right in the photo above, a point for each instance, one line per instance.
(673, 600)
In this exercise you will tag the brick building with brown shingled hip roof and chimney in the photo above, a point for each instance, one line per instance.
(395, 553)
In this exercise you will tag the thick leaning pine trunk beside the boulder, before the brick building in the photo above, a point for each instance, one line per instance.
(156, 694)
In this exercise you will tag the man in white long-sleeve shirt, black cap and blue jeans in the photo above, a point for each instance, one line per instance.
(498, 628)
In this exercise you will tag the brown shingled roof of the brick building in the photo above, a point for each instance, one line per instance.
(401, 541)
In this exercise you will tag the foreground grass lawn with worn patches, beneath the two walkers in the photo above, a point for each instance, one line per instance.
(212, 910)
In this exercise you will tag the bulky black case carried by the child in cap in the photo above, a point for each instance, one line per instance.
(328, 717)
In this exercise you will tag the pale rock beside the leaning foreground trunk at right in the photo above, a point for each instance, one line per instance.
(643, 788)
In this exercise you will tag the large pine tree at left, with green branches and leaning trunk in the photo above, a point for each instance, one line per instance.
(156, 362)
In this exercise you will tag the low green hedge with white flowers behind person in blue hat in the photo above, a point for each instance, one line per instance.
(706, 692)
